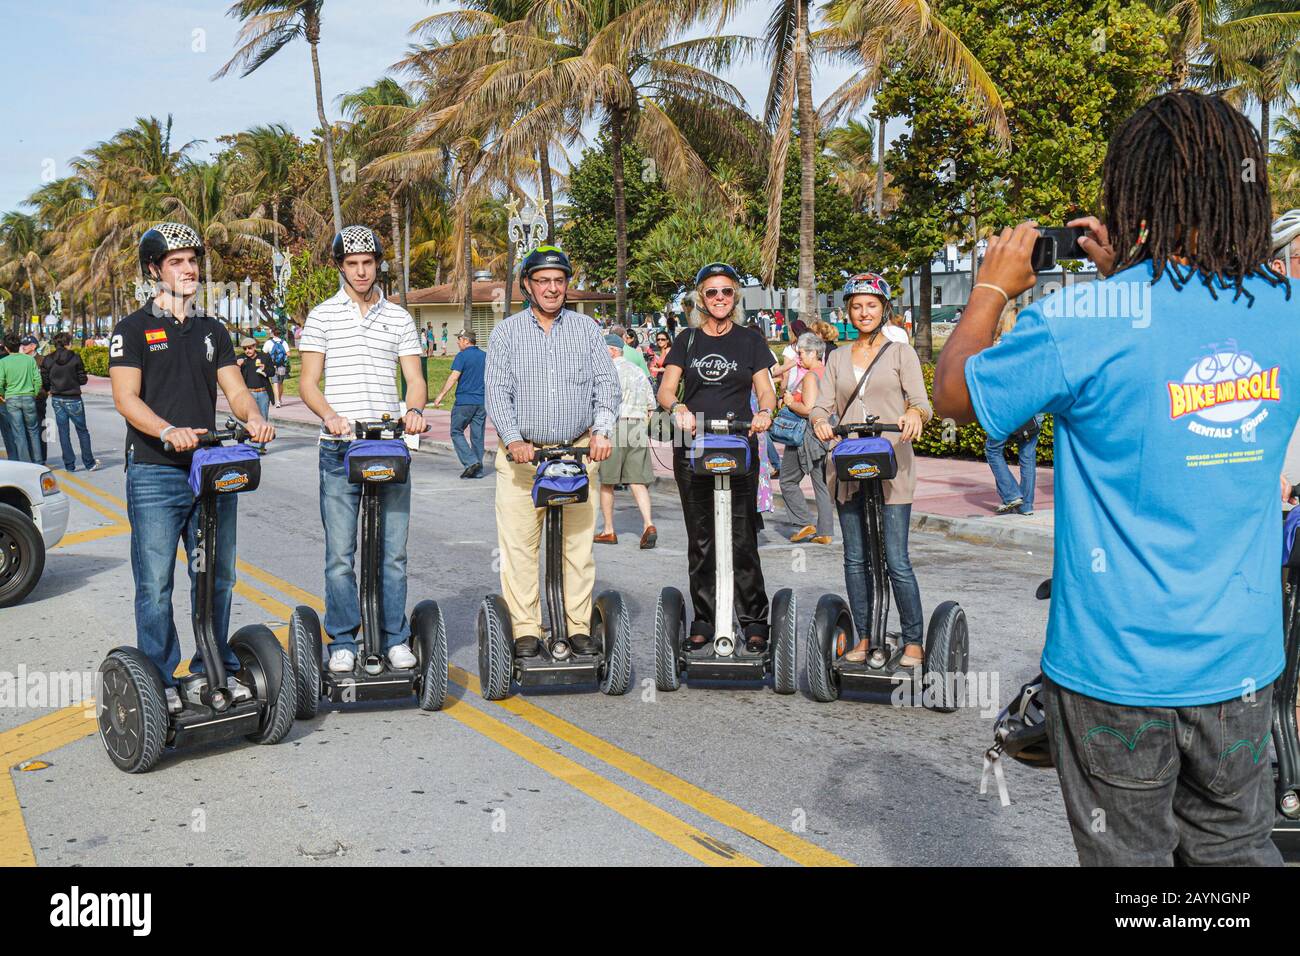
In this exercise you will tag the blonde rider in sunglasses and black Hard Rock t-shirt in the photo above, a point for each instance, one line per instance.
(720, 364)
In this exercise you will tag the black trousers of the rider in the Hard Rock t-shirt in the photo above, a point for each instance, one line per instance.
(697, 509)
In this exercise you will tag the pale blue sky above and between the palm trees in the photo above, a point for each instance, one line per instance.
(79, 71)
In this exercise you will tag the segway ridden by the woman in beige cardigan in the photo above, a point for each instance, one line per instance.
(866, 457)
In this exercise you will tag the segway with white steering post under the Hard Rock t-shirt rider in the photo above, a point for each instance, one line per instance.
(722, 449)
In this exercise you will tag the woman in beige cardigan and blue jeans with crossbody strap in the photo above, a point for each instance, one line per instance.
(895, 392)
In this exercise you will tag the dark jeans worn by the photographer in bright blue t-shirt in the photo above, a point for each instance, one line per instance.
(1152, 786)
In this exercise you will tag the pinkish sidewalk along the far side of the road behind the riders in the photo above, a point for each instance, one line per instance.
(954, 496)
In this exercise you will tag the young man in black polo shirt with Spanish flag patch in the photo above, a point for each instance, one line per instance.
(166, 362)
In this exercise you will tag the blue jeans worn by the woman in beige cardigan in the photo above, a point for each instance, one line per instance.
(902, 577)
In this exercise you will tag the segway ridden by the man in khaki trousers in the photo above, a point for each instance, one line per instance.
(561, 481)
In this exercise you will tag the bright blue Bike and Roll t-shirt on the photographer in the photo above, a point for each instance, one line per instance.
(1173, 416)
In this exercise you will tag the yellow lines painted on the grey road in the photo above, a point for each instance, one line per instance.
(71, 725)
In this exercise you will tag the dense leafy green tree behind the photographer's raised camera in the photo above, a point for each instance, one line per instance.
(1068, 76)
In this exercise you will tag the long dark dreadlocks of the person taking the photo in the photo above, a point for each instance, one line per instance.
(1177, 184)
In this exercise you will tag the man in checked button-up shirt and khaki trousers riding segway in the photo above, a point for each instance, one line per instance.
(551, 387)
